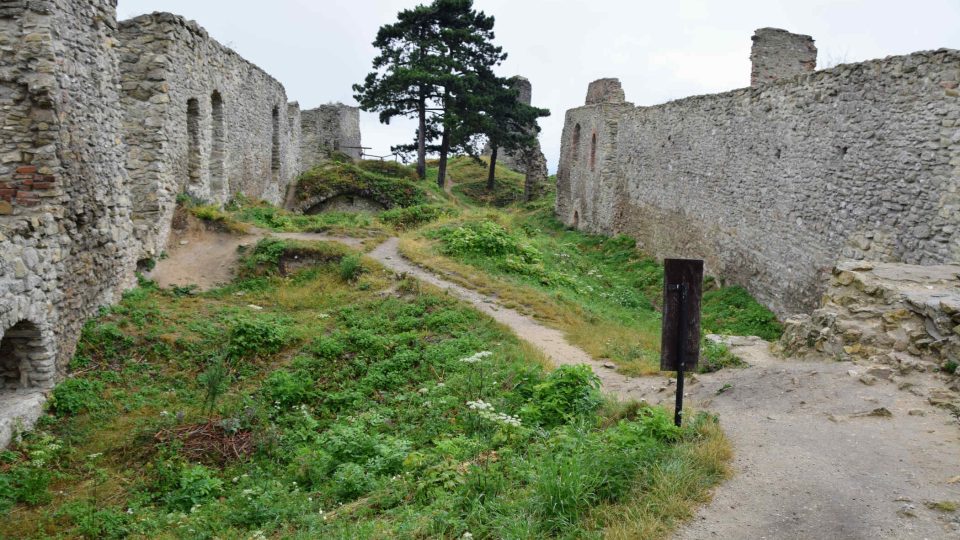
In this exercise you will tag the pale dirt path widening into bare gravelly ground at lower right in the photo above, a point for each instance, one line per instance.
(811, 461)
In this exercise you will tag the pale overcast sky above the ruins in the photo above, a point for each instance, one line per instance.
(660, 50)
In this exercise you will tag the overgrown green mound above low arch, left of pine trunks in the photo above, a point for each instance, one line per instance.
(334, 178)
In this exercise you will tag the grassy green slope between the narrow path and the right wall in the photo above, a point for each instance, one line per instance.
(601, 291)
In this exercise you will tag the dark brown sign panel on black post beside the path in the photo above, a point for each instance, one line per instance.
(680, 335)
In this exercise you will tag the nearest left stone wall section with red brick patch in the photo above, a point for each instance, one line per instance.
(65, 229)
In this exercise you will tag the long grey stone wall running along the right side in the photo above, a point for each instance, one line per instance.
(773, 184)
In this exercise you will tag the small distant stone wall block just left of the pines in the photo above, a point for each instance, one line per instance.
(331, 127)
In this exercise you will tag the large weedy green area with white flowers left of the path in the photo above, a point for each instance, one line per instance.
(336, 403)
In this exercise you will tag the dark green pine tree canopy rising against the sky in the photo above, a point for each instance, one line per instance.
(436, 63)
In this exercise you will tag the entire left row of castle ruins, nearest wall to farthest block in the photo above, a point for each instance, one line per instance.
(104, 125)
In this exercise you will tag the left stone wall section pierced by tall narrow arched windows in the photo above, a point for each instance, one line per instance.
(198, 119)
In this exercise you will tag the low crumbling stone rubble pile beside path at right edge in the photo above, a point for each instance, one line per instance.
(903, 316)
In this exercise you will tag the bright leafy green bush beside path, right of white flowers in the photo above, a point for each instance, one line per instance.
(566, 393)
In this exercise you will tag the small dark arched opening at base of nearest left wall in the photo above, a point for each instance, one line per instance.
(24, 362)
